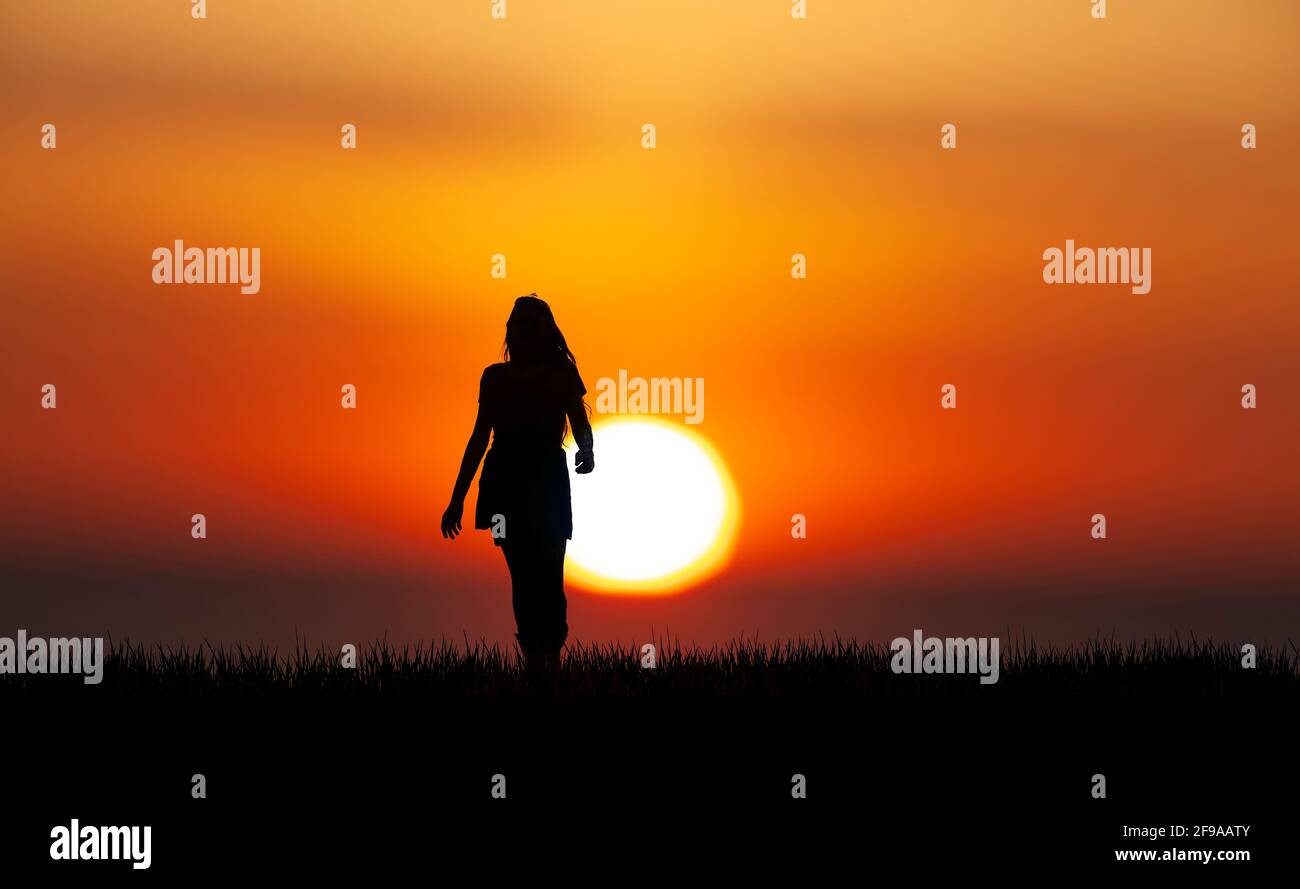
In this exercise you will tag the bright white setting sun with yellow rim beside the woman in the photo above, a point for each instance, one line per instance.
(658, 513)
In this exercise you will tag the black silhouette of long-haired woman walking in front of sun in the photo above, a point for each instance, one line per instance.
(525, 491)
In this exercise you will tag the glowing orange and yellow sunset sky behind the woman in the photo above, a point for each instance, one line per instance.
(522, 137)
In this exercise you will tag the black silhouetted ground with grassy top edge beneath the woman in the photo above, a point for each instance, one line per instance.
(696, 761)
